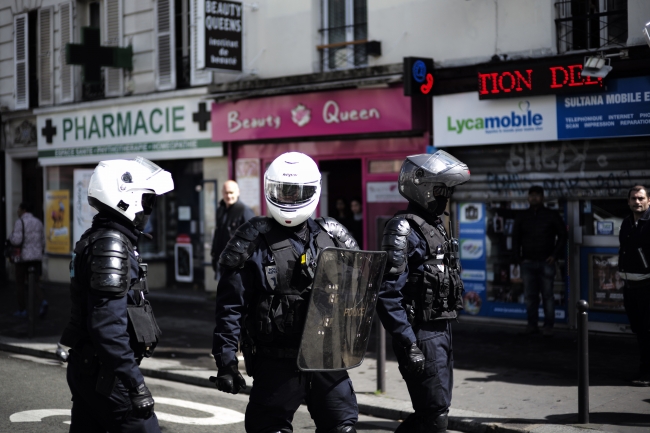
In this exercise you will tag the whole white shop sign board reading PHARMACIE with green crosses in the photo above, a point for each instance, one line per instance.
(163, 129)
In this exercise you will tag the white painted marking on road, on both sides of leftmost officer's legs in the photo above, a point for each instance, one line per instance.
(220, 415)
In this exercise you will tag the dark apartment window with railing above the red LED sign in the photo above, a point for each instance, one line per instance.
(590, 24)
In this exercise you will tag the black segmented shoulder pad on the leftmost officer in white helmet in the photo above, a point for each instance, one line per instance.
(109, 262)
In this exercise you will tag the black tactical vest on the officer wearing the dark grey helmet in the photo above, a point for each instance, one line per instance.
(438, 285)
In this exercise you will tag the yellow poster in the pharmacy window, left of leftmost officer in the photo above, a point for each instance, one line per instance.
(57, 221)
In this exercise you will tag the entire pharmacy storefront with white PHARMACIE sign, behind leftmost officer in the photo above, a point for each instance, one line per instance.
(172, 132)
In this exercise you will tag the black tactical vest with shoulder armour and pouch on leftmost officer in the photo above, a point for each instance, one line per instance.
(106, 254)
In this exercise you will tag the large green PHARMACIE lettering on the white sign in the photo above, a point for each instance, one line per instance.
(124, 124)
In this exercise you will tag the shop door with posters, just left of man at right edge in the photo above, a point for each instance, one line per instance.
(598, 223)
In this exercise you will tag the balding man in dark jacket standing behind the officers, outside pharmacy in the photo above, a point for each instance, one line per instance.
(231, 213)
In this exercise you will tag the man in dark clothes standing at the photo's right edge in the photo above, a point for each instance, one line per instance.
(634, 267)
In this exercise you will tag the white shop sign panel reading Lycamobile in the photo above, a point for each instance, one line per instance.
(461, 119)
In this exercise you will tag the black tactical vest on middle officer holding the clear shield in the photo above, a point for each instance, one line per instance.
(281, 315)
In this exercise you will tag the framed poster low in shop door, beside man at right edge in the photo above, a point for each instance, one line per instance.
(605, 283)
